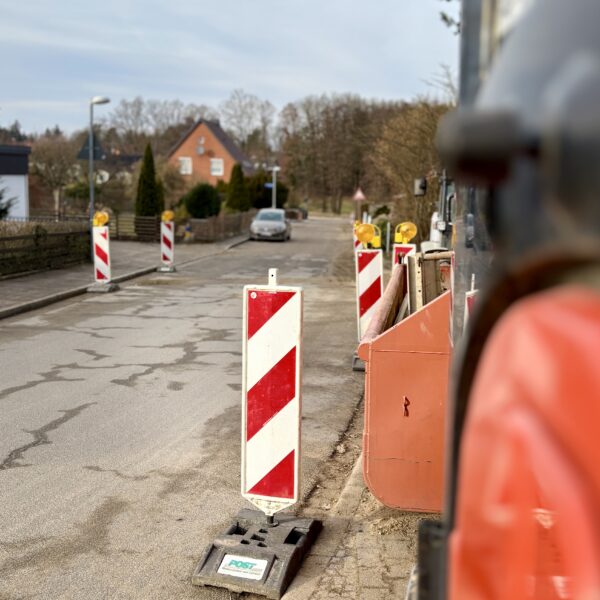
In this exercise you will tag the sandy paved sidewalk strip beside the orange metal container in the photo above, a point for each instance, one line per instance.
(366, 551)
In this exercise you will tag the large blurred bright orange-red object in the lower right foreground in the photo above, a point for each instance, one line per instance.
(527, 520)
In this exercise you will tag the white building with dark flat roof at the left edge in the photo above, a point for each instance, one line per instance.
(14, 178)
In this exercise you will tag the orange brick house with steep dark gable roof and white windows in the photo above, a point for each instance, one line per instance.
(207, 153)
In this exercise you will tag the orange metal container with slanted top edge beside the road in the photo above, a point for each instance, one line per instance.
(406, 387)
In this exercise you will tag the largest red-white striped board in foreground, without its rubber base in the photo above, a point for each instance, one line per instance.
(271, 395)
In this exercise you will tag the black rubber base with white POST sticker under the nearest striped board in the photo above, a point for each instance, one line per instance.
(256, 557)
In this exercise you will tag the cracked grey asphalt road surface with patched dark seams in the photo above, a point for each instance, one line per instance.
(120, 418)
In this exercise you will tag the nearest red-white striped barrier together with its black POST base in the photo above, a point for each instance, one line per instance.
(255, 554)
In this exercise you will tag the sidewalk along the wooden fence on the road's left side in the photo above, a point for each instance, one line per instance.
(129, 260)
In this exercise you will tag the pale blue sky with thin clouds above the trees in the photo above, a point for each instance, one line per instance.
(57, 54)
